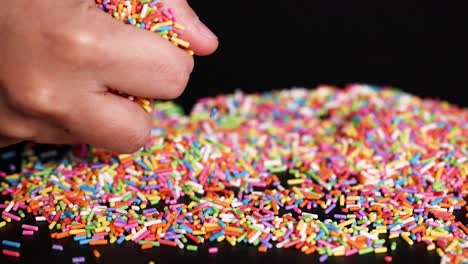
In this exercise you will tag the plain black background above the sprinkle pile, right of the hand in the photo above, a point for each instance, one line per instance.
(419, 46)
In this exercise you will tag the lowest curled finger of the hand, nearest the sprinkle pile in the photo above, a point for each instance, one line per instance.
(109, 121)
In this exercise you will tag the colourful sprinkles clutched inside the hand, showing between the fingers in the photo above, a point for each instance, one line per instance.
(149, 15)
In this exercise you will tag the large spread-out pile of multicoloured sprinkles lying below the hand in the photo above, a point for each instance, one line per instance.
(326, 171)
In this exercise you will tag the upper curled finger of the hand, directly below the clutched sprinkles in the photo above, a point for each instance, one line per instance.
(139, 62)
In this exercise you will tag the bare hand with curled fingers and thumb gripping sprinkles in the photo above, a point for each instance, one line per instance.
(56, 68)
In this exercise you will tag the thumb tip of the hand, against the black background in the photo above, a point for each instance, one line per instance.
(202, 40)
